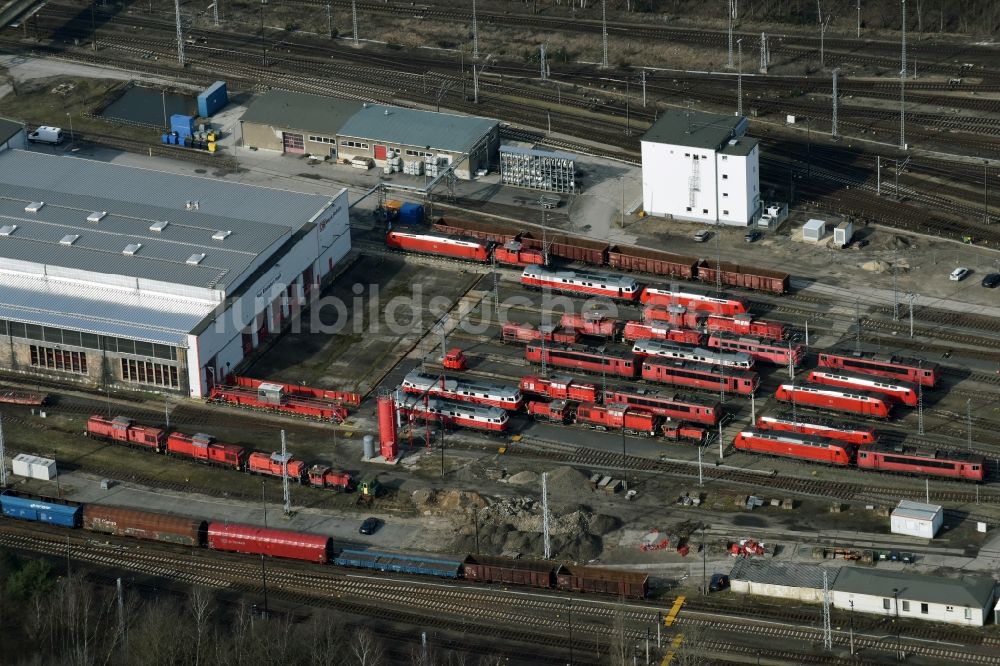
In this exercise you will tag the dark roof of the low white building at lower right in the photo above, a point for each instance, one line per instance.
(968, 591)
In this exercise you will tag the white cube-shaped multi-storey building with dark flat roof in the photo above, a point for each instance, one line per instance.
(701, 167)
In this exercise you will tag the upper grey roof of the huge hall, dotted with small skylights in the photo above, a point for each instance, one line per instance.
(135, 199)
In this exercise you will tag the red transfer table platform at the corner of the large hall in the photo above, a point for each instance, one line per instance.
(285, 398)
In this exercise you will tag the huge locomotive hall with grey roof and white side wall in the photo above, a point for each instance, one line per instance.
(124, 275)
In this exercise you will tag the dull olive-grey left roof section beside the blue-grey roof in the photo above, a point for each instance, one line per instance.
(301, 111)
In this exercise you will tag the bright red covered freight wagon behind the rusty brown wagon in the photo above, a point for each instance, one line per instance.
(253, 540)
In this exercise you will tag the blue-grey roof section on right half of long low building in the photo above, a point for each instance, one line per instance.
(411, 127)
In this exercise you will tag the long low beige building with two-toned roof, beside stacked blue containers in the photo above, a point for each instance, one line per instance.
(300, 123)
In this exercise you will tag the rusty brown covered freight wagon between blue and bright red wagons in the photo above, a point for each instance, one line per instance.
(143, 525)
